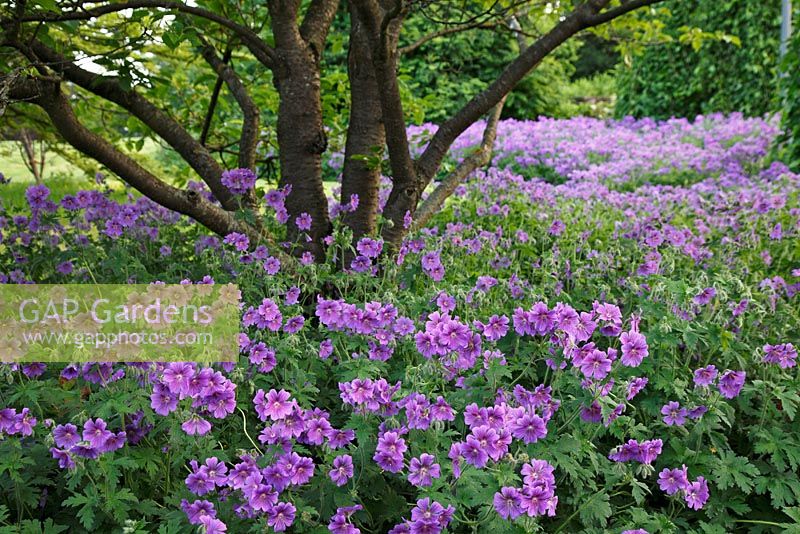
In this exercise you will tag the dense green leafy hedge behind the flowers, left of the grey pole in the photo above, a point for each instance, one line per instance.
(736, 72)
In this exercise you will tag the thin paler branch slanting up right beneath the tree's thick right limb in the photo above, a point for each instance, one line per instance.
(482, 156)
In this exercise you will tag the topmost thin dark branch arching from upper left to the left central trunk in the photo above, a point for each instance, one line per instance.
(263, 53)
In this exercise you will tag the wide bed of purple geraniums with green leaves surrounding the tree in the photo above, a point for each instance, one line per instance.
(597, 334)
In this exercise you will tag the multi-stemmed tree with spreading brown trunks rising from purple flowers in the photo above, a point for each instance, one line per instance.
(83, 61)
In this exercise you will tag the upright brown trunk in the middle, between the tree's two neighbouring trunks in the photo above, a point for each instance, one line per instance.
(364, 133)
